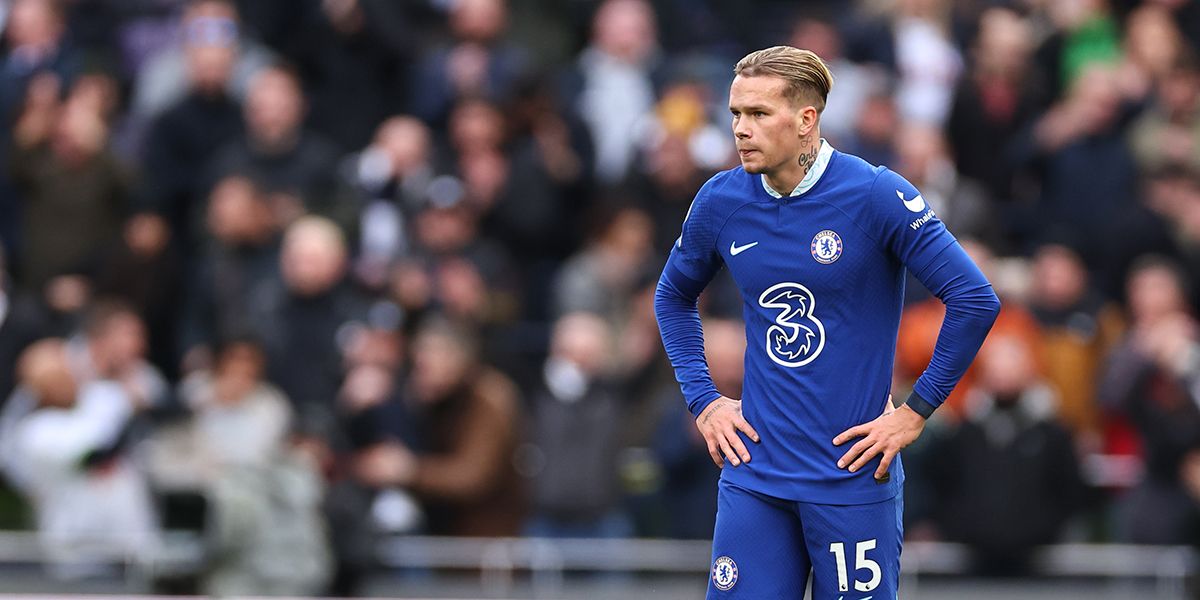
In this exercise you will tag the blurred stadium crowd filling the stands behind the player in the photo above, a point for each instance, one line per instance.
(303, 274)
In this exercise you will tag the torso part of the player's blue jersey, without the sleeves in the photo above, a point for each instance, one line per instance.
(821, 302)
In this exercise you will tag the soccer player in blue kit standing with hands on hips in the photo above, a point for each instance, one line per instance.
(818, 243)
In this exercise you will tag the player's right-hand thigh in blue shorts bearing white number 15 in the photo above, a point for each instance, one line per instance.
(855, 549)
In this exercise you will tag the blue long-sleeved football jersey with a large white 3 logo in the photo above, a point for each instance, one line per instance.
(821, 275)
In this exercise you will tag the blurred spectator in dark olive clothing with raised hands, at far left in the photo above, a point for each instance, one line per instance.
(75, 190)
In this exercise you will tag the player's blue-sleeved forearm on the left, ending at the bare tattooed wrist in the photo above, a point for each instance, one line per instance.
(683, 338)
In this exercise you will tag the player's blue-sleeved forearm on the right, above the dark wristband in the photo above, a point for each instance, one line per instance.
(971, 309)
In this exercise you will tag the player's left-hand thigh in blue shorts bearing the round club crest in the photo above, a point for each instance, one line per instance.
(759, 549)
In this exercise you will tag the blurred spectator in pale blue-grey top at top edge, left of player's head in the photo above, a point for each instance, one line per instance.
(617, 83)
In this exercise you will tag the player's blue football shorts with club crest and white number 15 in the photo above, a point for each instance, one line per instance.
(765, 549)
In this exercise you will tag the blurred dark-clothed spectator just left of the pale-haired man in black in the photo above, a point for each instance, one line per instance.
(242, 253)
